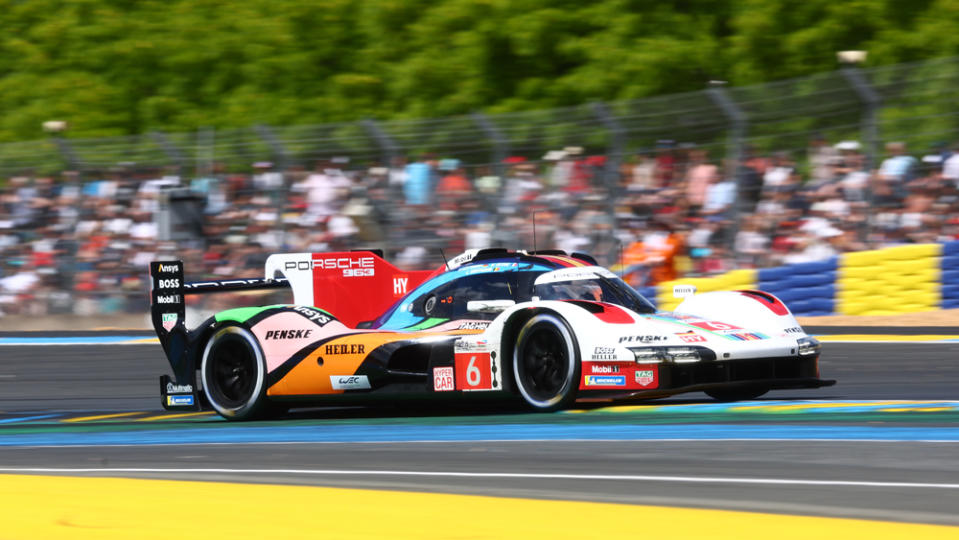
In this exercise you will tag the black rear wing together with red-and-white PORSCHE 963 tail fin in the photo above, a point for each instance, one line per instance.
(354, 286)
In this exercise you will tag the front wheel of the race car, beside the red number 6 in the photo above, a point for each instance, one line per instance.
(546, 364)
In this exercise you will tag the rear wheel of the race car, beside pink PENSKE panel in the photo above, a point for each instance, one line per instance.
(234, 374)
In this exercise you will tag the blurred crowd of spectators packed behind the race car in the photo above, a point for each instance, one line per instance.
(81, 245)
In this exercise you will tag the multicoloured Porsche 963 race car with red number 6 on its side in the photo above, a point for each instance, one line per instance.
(546, 327)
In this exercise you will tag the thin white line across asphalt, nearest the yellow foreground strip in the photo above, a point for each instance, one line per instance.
(528, 476)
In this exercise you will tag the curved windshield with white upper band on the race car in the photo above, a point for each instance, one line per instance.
(594, 284)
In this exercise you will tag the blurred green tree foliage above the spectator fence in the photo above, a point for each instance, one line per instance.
(112, 67)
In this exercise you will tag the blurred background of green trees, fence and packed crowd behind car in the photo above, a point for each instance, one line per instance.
(686, 140)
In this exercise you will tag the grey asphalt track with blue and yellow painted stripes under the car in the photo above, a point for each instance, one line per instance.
(883, 444)
